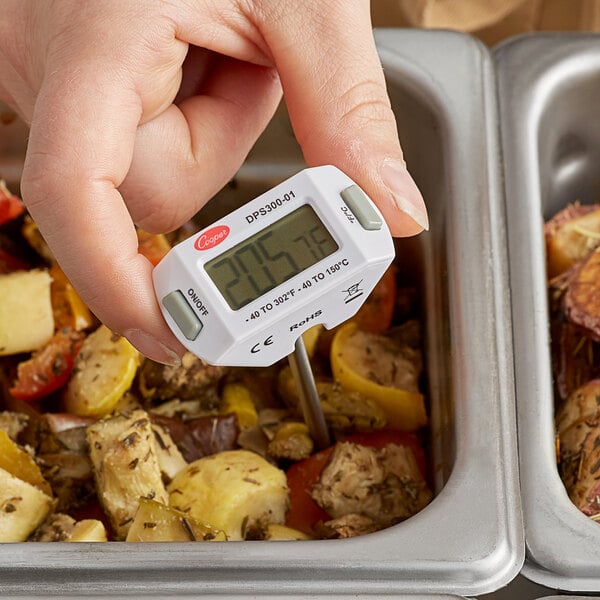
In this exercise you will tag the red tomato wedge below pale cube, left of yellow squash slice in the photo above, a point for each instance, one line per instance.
(49, 368)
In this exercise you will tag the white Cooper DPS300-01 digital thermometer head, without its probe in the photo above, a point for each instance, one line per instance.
(308, 251)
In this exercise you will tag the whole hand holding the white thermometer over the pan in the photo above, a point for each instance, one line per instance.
(141, 110)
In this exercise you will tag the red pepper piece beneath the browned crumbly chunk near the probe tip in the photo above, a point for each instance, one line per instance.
(304, 513)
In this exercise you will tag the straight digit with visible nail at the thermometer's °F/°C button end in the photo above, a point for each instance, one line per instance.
(338, 103)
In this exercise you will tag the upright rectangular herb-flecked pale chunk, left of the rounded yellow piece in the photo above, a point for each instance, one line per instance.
(125, 455)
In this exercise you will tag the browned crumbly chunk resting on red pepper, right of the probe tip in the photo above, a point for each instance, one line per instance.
(384, 485)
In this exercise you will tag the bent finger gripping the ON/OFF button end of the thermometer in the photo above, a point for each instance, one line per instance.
(80, 147)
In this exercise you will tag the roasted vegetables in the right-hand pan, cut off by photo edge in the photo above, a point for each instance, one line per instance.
(573, 264)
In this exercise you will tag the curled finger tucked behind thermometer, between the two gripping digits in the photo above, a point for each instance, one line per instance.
(186, 155)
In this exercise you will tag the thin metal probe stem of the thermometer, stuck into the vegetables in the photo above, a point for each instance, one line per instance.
(309, 397)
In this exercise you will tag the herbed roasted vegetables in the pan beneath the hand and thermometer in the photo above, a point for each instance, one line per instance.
(98, 443)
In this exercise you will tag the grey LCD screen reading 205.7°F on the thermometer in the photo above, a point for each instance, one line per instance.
(271, 257)
